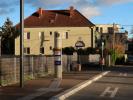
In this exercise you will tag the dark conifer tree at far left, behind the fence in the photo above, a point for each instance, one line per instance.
(8, 33)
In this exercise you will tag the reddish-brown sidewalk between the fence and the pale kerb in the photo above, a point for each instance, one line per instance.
(46, 87)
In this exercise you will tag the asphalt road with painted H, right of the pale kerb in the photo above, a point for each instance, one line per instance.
(117, 85)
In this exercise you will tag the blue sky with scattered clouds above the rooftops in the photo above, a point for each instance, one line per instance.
(97, 11)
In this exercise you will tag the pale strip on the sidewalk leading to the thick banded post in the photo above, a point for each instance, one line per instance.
(53, 87)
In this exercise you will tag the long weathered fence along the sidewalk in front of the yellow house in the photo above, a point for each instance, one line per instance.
(34, 66)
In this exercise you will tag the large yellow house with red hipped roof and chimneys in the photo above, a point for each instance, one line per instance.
(40, 28)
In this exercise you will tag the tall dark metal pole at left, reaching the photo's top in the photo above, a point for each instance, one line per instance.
(21, 43)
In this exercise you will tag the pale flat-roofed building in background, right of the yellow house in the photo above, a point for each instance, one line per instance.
(109, 34)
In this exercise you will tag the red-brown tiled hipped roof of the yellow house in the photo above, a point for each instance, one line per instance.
(57, 18)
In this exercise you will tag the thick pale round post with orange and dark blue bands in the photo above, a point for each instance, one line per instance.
(58, 55)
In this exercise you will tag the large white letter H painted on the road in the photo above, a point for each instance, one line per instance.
(109, 91)
